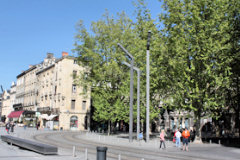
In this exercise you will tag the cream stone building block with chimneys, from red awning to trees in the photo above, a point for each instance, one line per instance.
(46, 91)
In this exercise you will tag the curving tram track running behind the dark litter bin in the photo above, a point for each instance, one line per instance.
(70, 139)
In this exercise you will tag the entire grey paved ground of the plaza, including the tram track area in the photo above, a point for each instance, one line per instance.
(196, 151)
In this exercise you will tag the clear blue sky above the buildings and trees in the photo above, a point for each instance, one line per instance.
(29, 29)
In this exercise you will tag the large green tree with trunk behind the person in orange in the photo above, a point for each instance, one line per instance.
(196, 59)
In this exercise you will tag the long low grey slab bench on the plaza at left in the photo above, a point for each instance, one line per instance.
(30, 145)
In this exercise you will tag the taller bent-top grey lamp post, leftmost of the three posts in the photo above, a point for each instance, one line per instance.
(131, 93)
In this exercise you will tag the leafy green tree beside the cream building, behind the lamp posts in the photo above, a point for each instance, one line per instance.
(108, 77)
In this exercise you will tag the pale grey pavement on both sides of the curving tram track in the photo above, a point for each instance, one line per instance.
(203, 151)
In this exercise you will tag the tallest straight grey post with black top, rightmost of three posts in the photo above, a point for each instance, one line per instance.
(147, 87)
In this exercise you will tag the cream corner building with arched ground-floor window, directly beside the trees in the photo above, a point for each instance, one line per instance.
(60, 98)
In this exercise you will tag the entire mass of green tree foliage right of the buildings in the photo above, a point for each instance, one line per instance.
(194, 58)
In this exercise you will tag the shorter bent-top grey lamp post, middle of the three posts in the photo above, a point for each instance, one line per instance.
(138, 98)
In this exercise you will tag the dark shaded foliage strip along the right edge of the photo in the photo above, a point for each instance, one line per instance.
(233, 92)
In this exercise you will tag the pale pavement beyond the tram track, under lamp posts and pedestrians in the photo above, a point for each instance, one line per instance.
(202, 151)
